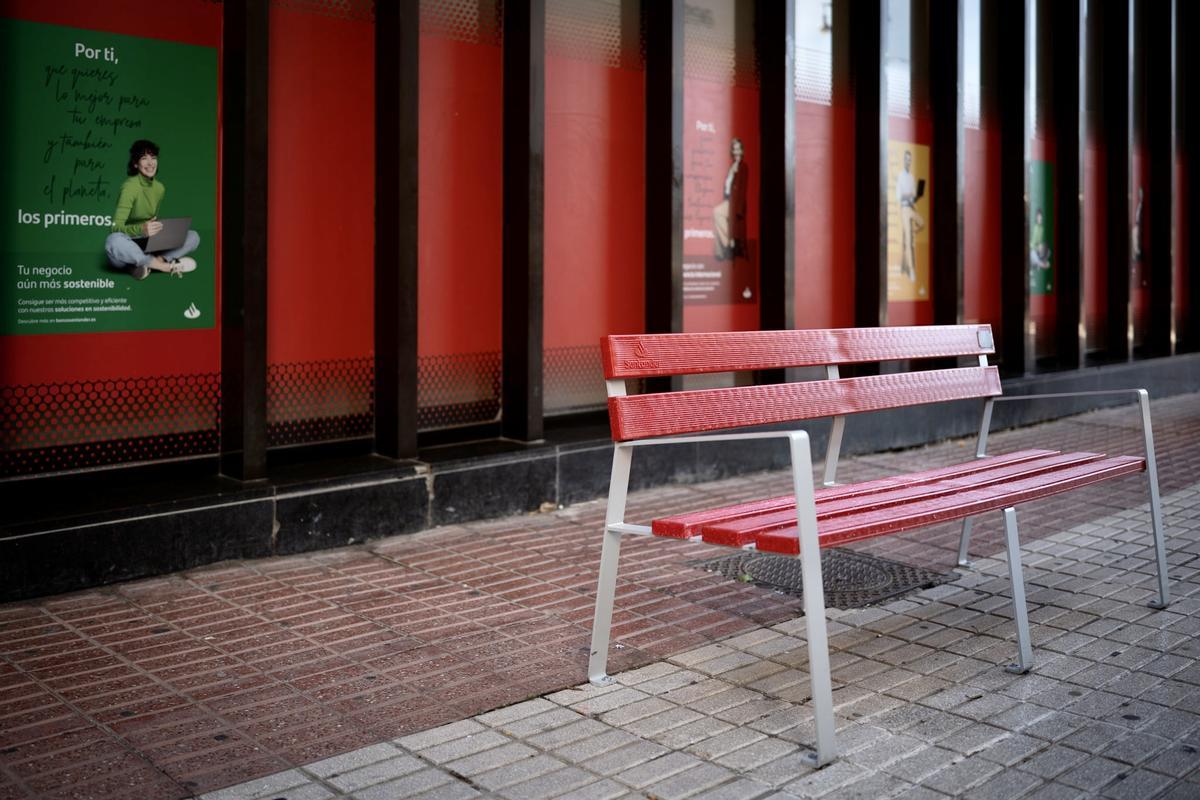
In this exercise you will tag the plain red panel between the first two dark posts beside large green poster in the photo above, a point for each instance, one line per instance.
(321, 215)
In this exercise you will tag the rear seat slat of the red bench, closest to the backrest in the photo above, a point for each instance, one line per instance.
(687, 526)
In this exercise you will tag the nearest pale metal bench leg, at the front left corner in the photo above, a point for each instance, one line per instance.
(814, 604)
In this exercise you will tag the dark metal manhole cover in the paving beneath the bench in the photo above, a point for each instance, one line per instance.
(851, 580)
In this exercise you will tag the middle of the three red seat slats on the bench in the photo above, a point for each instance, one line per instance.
(740, 533)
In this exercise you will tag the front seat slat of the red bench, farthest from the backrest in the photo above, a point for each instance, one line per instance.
(896, 520)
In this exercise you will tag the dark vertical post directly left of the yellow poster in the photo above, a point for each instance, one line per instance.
(867, 23)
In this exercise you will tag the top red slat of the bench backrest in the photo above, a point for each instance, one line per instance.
(646, 356)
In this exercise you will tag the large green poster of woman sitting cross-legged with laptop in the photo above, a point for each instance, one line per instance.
(75, 103)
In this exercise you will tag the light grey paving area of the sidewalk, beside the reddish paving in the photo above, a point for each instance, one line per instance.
(925, 707)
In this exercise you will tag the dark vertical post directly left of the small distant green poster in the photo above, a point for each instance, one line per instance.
(1013, 44)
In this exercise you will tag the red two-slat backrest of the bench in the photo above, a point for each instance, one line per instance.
(656, 356)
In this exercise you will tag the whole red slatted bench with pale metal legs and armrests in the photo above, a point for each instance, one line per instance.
(809, 520)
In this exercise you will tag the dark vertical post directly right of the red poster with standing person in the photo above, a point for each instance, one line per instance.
(776, 43)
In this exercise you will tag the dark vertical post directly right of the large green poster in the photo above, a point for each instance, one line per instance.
(244, 178)
